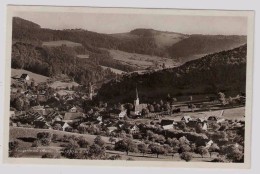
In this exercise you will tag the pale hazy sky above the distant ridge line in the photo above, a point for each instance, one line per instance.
(121, 23)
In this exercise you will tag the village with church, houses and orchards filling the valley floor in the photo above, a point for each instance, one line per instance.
(211, 129)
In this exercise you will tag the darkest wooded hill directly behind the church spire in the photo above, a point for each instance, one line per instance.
(224, 71)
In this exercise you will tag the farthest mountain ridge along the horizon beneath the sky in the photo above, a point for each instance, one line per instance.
(177, 46)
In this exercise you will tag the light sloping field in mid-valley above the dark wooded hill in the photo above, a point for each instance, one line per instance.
(141, 61)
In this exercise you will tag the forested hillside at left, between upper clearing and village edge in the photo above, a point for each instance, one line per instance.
(57, 60)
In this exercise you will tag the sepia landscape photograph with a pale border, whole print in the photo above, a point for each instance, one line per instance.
(153, 86)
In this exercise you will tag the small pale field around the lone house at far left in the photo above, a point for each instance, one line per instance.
(37, 78)
